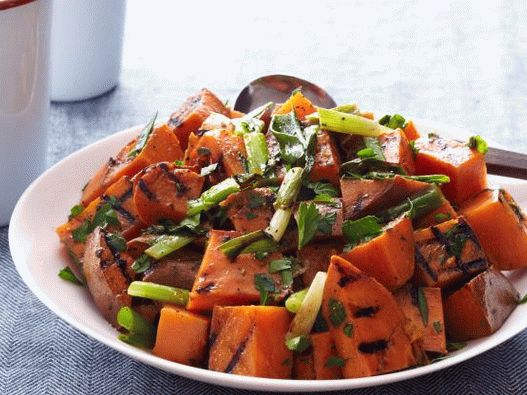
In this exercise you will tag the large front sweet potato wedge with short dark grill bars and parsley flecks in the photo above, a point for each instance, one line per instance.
(365, 322)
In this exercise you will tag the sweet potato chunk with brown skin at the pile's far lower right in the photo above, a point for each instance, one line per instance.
(480, 307)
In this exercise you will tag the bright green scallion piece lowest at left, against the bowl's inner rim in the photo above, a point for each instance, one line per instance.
(139, 332)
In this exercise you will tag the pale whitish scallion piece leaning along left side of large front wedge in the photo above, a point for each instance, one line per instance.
(307, 313)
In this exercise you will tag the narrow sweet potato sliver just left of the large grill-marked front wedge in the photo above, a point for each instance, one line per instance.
(323, 349)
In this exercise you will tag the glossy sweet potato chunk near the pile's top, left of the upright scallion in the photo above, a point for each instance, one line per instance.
(215, 146)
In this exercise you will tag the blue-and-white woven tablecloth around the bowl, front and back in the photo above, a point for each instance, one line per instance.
(461, 63)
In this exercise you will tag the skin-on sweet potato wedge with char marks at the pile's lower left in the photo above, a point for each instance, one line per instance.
(107, 273)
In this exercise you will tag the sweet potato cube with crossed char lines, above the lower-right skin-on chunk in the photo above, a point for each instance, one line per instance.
(447, 254)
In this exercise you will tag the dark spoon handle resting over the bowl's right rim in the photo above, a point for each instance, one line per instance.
(506, 163)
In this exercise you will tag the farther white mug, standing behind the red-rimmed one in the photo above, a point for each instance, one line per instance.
(86, 47)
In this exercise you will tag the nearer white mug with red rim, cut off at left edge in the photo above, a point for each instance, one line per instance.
(24, 96)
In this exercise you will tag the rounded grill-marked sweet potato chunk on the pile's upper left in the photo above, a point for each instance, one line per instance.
(162, 192)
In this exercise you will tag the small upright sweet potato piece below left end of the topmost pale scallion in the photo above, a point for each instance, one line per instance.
(327, 160)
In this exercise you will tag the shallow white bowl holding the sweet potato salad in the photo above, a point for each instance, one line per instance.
(38, 257)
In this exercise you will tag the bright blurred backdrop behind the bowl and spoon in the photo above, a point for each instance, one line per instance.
(455, 62)
